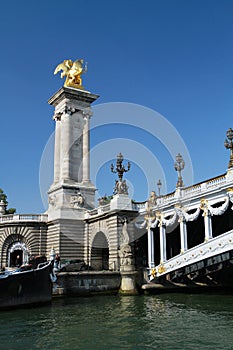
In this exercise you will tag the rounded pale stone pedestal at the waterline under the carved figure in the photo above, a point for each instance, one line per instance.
(128, 280)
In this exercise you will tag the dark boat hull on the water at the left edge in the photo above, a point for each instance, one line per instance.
(26, 288)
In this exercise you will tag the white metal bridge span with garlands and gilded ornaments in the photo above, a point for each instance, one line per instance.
(189, 231)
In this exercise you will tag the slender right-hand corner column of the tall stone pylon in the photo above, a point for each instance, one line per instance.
(86, 145)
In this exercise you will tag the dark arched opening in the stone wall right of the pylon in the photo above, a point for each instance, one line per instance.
(100, 252)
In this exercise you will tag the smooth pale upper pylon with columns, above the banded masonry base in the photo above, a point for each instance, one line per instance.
(72, 190)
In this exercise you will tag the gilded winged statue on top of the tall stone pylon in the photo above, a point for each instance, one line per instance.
(72, 71)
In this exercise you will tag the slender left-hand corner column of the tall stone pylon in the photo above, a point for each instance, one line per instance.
(57, 148)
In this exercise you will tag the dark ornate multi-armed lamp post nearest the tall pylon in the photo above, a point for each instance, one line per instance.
(120, 185)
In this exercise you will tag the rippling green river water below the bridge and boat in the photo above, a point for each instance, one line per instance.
(175, 321)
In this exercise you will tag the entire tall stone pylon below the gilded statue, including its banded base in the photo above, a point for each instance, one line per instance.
(72, 191)
